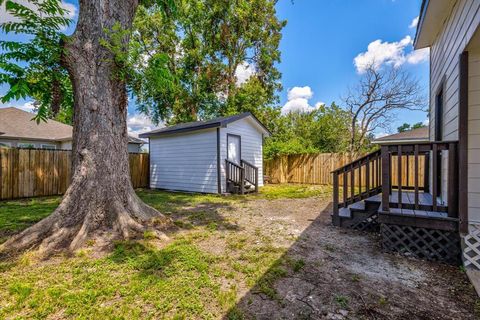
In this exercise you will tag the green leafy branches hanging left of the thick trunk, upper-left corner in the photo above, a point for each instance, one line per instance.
(34, 68)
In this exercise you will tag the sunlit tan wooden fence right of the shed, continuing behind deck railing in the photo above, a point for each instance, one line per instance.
(317, 168)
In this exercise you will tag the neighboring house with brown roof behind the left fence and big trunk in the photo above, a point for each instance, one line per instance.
(17, 130)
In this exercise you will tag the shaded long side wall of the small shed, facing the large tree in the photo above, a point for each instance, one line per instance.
(186, 162)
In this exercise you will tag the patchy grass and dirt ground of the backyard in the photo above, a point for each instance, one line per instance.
(254, 257)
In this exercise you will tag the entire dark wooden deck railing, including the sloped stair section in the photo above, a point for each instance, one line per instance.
(391, 168)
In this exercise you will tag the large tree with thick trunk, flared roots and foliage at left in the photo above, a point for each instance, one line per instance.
(100, 202)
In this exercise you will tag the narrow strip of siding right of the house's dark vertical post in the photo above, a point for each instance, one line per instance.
(474, 137)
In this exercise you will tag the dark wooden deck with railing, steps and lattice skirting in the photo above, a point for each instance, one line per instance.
(409, 220)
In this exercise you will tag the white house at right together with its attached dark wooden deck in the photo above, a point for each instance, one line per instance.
(438, 219)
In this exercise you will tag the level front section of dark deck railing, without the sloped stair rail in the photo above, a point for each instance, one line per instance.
(438, 153)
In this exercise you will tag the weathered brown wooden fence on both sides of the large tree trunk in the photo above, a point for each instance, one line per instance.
(41, 172)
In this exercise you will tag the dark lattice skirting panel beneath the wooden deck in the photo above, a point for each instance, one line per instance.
(422, 243)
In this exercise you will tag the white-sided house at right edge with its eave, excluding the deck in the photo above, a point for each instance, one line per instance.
(451, 29)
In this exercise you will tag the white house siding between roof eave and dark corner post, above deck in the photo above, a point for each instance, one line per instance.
(452, 40)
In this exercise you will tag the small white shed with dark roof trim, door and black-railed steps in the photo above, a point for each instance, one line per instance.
(215, 156)
